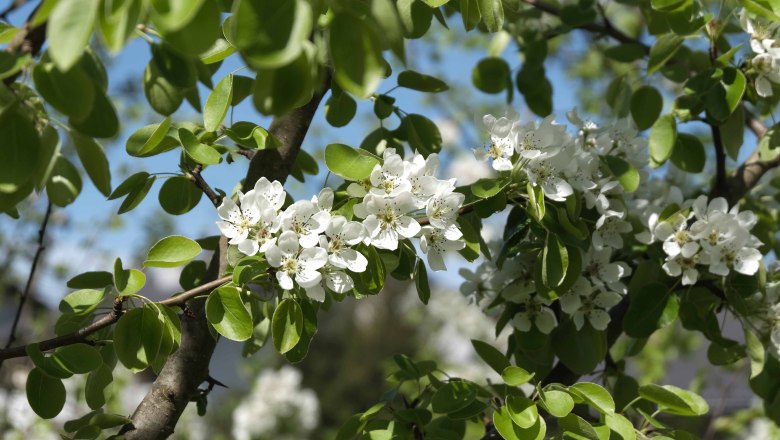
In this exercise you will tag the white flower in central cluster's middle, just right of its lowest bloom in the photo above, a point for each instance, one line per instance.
(339, 236)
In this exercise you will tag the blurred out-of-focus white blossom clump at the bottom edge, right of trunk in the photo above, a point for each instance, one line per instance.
(277, 407)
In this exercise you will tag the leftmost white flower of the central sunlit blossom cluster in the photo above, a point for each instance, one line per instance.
(237, 221)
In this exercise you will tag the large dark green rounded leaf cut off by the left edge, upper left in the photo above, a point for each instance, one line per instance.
(21, 152)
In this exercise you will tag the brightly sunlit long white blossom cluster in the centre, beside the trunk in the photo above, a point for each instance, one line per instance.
(314, 248)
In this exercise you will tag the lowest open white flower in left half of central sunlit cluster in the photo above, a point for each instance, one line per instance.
(301, 266)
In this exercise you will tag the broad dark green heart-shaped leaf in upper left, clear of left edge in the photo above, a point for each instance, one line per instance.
(70, 92)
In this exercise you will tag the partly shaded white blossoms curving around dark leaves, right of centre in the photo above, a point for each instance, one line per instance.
(565, 165)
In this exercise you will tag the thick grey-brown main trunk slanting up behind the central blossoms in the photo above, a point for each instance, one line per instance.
(187, 368)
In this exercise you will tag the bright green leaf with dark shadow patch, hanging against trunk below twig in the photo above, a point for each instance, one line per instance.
(226, 312)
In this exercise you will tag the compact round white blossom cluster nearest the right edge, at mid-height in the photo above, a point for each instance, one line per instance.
(710, 235)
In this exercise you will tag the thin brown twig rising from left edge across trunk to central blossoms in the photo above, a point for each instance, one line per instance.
(82, 334)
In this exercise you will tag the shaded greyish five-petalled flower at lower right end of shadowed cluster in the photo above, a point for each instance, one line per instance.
(584, 302)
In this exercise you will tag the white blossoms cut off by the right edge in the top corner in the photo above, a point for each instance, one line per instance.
(766, 60)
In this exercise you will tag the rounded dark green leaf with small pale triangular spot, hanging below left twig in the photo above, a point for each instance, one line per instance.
(137, 337)
